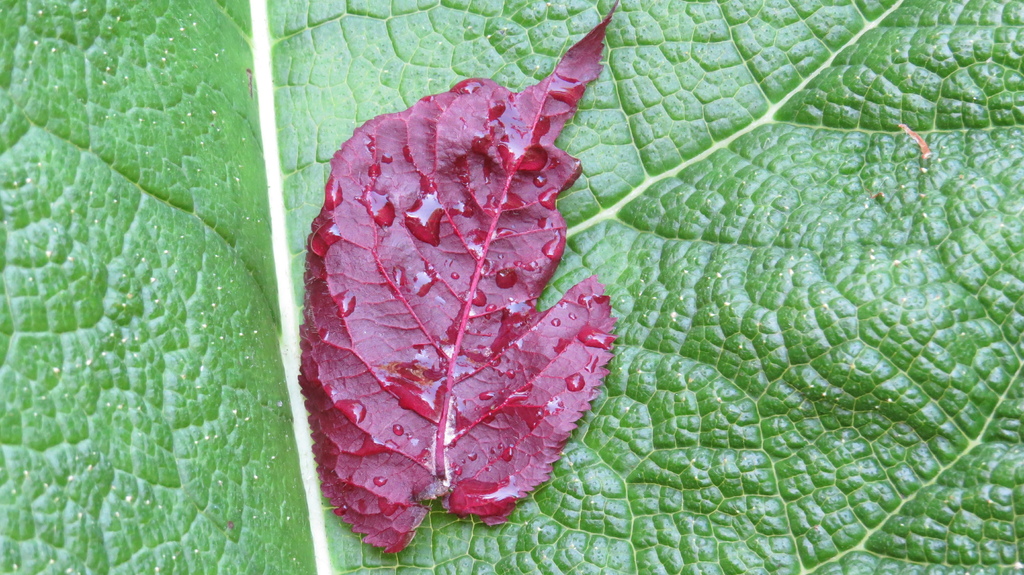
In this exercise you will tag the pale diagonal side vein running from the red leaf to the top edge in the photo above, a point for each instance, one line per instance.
(770, 116)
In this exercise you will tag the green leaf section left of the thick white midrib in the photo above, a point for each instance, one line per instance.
(145, 426)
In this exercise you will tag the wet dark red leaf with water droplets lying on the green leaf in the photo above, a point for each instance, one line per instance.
(426, 368)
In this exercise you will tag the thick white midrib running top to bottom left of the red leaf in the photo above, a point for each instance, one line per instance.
(264, 79)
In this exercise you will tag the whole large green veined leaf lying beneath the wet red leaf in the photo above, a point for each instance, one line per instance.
(820, 344)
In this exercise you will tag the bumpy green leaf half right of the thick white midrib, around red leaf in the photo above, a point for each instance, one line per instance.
(819, 365)
